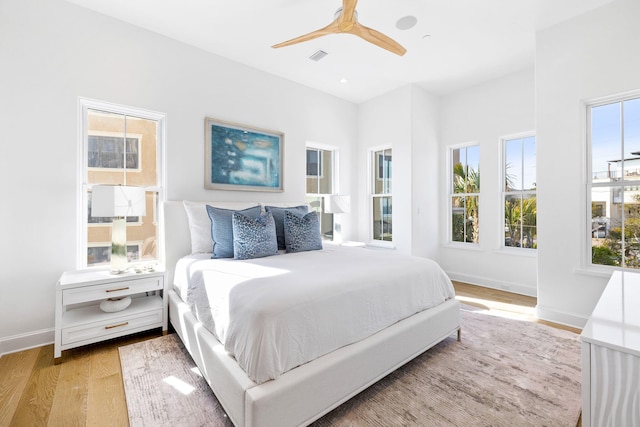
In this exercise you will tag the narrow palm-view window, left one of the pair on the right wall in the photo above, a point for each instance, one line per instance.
(465, 194)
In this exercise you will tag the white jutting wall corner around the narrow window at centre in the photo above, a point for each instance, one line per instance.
(405, 119)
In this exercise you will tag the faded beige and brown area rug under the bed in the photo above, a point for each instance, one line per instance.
(504, 372)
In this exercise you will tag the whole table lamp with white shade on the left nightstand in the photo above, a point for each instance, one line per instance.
(119, 202)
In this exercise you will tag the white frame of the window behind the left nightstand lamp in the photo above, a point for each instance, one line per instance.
(85, 104)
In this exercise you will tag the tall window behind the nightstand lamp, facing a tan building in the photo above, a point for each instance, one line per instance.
(120, 145)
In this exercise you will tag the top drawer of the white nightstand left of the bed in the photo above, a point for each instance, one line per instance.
(111, 290)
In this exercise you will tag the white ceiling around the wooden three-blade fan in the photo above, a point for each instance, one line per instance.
(455, 43)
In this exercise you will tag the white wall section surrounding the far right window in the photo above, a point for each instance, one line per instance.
(591, 56)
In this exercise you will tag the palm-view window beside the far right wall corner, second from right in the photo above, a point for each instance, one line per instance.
(519, 194)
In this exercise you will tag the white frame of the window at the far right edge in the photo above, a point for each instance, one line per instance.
(590, 267)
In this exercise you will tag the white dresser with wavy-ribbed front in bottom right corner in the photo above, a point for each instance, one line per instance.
(611, 356)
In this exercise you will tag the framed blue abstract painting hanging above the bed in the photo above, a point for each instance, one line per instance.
(239, 157)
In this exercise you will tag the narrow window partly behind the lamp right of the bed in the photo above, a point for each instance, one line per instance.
(320, 183)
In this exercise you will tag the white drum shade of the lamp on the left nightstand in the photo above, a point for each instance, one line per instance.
(118, 201)
